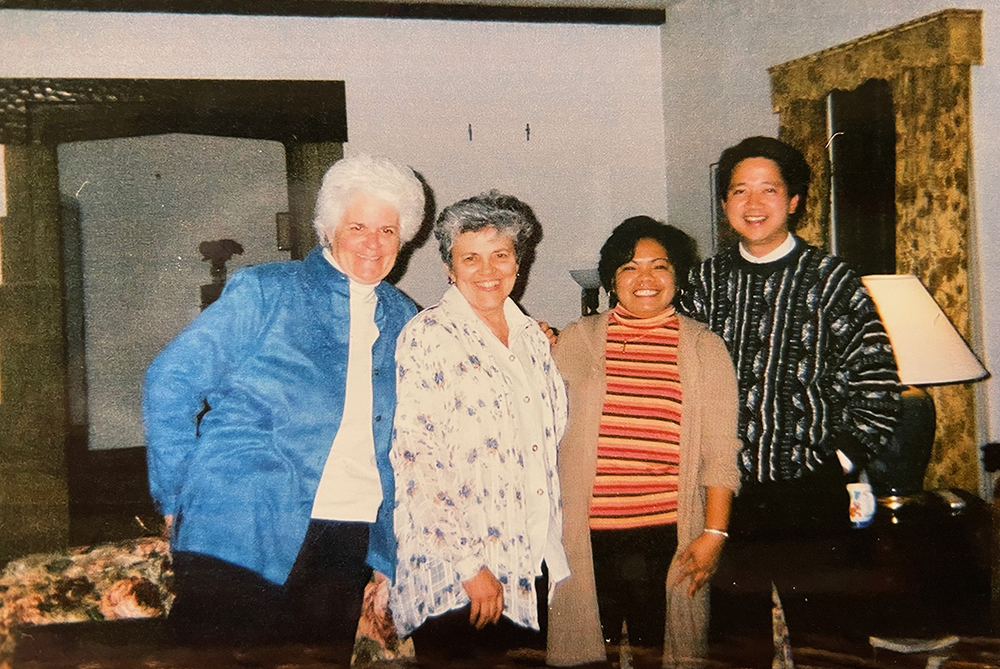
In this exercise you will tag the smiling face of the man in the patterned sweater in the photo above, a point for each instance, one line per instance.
(757, 205)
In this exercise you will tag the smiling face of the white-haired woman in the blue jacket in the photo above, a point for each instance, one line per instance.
(366, 241)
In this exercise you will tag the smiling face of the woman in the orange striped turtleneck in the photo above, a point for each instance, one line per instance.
(646, 284)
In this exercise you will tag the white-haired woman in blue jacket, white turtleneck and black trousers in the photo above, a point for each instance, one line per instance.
(279, 497)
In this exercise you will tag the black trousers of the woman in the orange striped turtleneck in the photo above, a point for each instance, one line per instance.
(630, 571)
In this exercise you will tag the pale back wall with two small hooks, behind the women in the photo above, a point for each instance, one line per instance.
(592, 95)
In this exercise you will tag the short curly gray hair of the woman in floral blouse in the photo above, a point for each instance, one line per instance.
(508, 215)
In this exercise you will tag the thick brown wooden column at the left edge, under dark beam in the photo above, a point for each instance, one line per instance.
(34, 506)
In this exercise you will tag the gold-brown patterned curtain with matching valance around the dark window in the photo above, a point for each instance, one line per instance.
(927, 62)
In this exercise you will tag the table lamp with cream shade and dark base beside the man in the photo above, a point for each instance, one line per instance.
(929, 351)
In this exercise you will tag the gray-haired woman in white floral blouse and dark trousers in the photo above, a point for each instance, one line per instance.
(480, 410)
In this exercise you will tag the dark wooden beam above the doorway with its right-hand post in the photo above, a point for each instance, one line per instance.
(300, 114)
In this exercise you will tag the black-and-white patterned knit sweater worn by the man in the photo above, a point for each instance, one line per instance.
(814, 366)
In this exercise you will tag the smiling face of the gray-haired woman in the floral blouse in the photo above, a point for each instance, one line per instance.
(484, 269)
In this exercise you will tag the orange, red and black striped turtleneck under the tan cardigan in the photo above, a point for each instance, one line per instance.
(638, 451)
